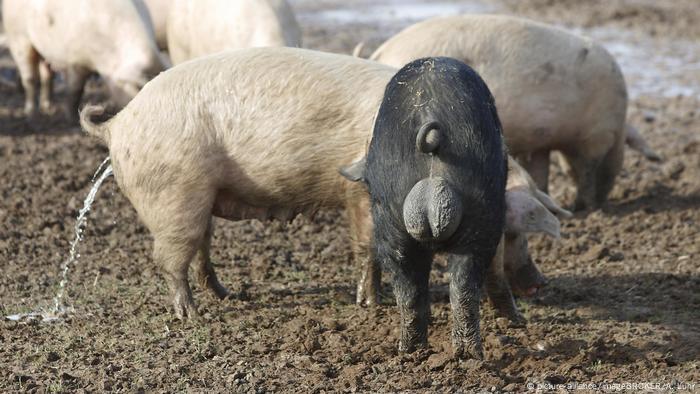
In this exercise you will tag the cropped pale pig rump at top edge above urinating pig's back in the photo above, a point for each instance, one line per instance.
(201, 27)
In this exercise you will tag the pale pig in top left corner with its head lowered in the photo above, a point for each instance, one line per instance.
(79, 37)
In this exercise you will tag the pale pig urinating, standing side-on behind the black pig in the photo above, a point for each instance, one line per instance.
(248, 134)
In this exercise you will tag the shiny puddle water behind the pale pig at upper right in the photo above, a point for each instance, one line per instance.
(652, 66)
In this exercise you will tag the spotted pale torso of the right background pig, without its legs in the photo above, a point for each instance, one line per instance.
(548, 84)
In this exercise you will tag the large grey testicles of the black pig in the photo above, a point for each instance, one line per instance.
(432, 210)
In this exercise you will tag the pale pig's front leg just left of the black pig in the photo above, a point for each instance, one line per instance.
(361, 232)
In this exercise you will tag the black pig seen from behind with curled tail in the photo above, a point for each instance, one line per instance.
(436, 172)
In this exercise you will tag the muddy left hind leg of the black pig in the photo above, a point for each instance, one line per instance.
(410, 265)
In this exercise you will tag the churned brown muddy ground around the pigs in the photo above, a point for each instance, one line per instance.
(622, 304)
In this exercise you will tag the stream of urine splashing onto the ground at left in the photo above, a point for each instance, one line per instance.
(59, 308)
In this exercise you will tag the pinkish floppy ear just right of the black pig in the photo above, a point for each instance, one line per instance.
(524, 213)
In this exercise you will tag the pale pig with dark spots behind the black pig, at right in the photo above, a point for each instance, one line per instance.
(555, 92)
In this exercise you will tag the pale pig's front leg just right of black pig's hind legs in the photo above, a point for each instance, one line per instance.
(498, 289)
